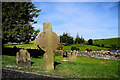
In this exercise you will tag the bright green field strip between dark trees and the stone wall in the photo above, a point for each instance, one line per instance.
(82, 47)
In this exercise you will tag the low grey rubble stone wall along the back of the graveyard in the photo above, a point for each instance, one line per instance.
(97, 54)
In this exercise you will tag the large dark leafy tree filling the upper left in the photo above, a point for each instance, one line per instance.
(17, 21)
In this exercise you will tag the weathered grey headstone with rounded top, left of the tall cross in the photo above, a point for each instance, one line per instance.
(23, 58)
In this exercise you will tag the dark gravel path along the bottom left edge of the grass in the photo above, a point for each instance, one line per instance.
(8, 74)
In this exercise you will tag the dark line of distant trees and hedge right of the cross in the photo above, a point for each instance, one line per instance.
(68, 40)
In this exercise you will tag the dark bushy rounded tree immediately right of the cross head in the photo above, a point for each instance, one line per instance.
(67, 39)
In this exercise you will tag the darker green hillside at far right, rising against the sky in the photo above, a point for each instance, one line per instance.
(108, 42)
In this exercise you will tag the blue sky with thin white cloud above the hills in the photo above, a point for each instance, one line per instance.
(92, 20)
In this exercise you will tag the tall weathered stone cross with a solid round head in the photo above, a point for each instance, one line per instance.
(48, 41)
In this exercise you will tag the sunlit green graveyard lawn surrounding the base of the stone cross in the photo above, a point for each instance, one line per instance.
(84, 67)
